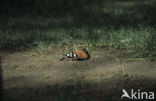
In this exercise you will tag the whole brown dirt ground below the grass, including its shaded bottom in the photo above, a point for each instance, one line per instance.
(40, 76)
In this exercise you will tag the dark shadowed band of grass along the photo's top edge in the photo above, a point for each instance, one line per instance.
(78, 13)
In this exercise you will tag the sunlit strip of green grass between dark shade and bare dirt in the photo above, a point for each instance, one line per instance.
(121, 38)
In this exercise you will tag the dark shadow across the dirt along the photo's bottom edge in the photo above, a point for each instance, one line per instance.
(108, 90)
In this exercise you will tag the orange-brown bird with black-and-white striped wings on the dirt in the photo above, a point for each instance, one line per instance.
(77, 54)
